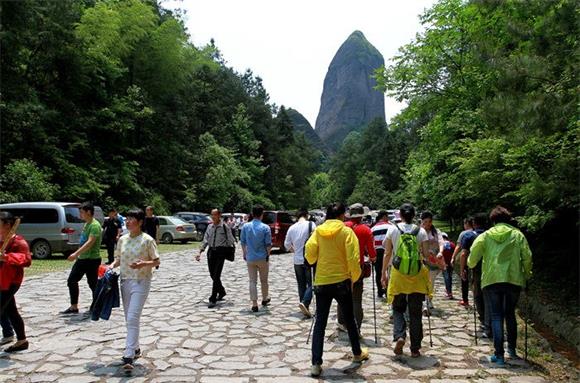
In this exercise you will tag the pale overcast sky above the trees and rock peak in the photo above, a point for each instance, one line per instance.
(290, 44)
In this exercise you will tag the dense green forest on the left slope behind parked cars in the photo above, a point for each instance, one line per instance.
(123, 110)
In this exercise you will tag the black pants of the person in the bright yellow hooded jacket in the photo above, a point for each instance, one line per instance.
(342, 293)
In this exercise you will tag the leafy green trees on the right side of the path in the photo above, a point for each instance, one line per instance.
(492, 93)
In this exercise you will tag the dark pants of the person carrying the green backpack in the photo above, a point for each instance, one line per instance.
(415, 304)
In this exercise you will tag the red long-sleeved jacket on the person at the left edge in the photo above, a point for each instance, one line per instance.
(18, 257)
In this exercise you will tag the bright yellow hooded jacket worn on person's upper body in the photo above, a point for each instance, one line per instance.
(334, 248)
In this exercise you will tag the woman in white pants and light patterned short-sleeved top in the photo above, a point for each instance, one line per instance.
(137, 254)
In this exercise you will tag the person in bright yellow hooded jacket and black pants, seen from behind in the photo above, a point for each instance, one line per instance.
(333, 248)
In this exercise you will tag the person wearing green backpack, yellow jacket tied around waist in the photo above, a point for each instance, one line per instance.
(409, 280)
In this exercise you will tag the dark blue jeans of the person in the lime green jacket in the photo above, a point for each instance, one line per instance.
(503, 298)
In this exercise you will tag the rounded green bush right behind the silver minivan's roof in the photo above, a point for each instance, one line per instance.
(23, 180)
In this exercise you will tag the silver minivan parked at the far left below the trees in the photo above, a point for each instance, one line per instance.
(50, 227)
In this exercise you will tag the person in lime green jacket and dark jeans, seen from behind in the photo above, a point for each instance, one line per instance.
(506, 268)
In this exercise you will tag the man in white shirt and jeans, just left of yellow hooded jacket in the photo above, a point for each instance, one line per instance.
(296, 238)
